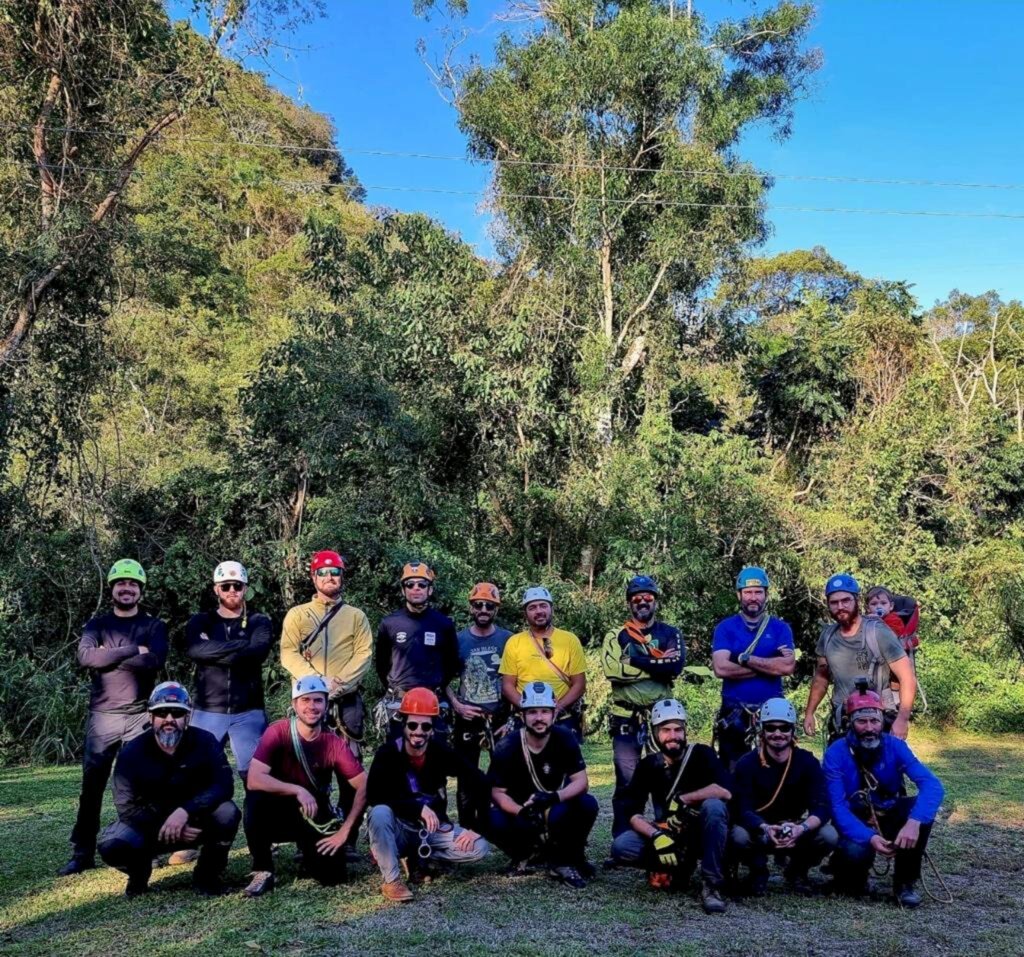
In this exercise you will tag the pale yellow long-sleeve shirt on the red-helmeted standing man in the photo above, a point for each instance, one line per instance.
(342, 650)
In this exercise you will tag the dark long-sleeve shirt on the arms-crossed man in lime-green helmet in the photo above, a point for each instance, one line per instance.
(122, 678)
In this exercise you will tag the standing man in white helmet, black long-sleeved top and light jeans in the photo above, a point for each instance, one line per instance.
(230, 646)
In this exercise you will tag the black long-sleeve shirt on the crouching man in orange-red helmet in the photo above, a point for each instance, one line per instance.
(406, 790)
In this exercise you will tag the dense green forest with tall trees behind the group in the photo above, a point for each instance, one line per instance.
(212, 349)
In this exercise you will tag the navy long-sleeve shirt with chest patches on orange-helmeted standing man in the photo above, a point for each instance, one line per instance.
(417, 650)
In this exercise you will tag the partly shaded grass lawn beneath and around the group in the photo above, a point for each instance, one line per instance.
(978, 844)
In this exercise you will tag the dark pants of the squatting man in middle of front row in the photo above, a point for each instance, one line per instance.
(564, 840)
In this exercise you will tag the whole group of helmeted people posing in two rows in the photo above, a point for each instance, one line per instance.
(450, 697)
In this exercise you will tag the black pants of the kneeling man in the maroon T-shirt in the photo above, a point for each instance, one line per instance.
(278, 819)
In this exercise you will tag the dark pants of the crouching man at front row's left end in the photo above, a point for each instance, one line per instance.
(132, 850)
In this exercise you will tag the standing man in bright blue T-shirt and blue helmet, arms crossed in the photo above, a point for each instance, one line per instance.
(752, 652)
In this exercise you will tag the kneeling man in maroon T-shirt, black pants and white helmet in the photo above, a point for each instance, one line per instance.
(289, 798)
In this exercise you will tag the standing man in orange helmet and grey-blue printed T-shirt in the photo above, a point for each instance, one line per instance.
(480, 709)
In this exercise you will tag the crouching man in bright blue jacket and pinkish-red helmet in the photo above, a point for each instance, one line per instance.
(866, 772)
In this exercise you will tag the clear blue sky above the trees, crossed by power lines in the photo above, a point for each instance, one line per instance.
(911, 91)
